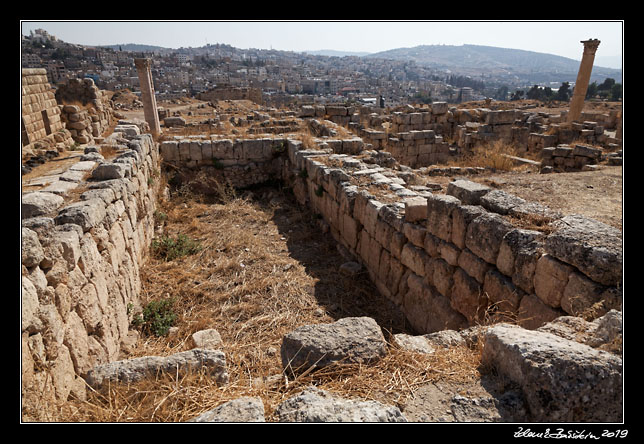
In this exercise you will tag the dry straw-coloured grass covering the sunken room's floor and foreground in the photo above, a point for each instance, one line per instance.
(264, 270)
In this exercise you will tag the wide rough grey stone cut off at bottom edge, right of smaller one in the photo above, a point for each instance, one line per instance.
(316, 405)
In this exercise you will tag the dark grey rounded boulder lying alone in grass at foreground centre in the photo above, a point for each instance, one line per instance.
(349, 340)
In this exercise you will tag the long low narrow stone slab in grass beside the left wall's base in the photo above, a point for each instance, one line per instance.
(132, 370)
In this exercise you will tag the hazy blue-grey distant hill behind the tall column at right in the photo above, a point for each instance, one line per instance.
(493, 60)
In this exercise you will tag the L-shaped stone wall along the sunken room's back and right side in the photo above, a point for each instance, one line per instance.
(447, 260)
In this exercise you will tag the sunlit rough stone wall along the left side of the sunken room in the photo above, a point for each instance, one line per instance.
(80, 270)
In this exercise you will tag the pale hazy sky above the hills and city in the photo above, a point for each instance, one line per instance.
(552, 37)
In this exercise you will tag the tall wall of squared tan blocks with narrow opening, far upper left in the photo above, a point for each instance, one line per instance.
(41, 122)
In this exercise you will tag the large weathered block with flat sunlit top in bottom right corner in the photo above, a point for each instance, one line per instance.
(562, 380)
